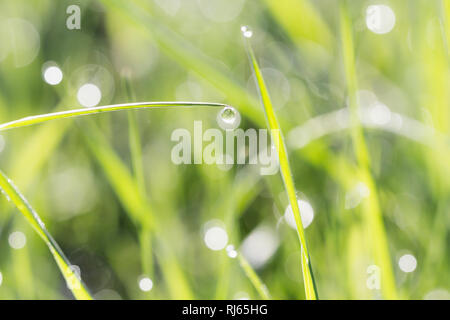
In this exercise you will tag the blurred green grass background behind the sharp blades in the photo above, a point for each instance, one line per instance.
(98, 181)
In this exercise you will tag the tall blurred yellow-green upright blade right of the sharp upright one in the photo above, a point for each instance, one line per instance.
(373, 219)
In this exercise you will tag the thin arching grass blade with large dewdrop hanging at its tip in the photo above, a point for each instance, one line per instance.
(115, 107)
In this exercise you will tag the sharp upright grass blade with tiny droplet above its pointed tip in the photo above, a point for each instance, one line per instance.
(277, 138)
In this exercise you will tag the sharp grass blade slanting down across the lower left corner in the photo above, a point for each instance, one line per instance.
(77, 287)
